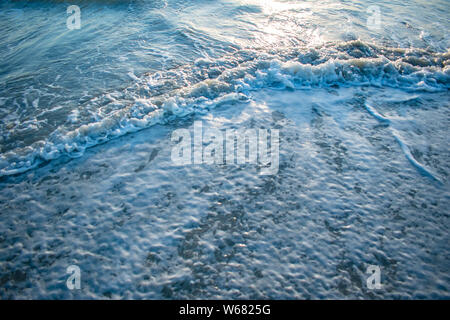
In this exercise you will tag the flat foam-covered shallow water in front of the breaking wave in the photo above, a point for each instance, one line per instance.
(345, 197)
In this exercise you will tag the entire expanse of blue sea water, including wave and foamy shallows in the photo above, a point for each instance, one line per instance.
(86, 118)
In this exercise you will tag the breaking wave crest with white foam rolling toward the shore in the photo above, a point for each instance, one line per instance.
(164, 96)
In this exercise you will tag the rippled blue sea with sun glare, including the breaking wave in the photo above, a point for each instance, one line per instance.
(55, 80)
